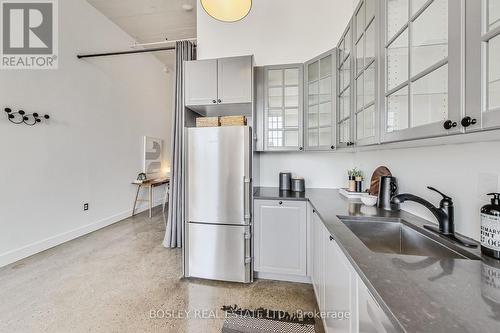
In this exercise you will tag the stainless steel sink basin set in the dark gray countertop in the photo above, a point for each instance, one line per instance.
(398, 238)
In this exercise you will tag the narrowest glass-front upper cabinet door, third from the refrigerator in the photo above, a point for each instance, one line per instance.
(345, 90)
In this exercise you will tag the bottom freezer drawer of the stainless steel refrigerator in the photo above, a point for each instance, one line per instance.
(219, 252)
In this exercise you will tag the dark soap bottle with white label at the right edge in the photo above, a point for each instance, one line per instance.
(490, 227)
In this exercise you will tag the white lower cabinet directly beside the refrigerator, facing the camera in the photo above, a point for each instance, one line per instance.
(280, 239)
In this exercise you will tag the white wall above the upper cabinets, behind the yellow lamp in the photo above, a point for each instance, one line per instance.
(277, 31)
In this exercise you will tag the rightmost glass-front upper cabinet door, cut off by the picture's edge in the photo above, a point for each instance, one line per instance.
(483, 77)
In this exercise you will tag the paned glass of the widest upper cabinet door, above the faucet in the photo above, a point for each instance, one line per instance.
(416, 67)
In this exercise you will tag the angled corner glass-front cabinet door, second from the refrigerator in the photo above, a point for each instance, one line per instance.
(319, 116)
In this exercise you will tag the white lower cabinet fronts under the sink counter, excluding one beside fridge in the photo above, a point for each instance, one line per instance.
(342, 297)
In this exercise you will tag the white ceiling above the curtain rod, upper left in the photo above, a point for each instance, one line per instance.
(150, 21)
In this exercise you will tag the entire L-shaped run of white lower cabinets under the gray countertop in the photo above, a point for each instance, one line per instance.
(291, 243)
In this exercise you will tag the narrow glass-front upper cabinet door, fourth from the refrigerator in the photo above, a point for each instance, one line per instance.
(365, 74)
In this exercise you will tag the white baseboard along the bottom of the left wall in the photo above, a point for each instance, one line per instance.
(12, 256)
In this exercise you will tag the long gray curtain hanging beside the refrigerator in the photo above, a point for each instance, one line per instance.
(175, 216)
